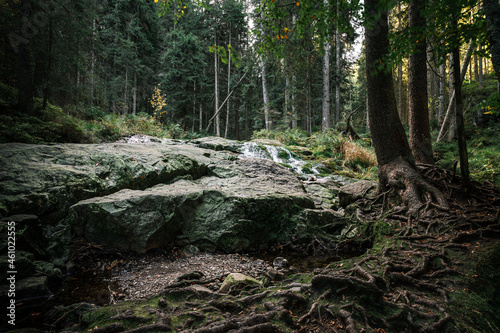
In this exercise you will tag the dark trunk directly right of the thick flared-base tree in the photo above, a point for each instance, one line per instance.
(420, 134)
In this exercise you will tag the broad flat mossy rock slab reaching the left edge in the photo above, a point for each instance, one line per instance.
(42, 179)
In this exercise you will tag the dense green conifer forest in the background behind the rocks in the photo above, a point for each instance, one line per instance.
(84, 71)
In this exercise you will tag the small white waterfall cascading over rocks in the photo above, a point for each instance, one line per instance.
(278, 155)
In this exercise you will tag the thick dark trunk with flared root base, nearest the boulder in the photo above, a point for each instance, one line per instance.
(396, 164)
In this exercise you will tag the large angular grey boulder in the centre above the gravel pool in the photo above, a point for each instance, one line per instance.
(257, 202)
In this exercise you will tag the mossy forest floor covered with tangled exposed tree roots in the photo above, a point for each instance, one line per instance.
(437, 272)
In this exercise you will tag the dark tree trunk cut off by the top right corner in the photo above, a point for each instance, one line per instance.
(492, 11)
